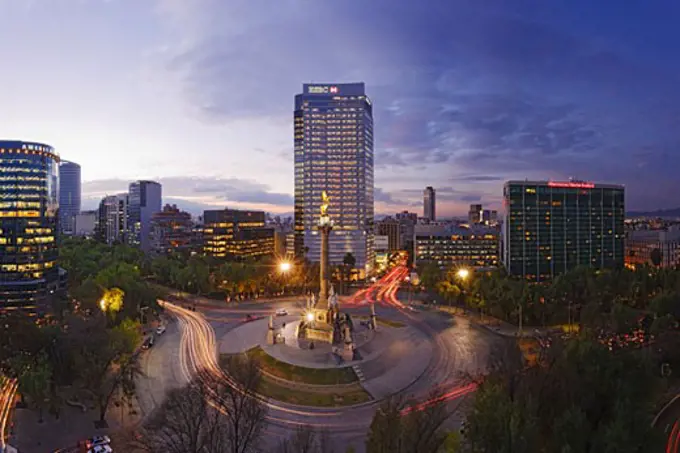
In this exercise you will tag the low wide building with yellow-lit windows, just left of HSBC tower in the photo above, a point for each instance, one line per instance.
(230, 233)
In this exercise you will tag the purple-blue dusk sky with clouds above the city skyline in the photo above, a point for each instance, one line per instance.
(198, 94)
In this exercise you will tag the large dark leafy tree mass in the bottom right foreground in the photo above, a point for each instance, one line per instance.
(580, 398)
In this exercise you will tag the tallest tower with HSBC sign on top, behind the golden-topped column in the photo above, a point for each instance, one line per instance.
(333, 138)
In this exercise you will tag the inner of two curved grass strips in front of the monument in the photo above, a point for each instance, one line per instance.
(303, 375)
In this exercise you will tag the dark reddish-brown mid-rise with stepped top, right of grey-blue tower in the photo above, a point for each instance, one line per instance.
(170, 231)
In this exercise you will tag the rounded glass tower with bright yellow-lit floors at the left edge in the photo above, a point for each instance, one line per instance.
(29, 203)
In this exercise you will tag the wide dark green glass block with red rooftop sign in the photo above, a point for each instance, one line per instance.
(552, 227)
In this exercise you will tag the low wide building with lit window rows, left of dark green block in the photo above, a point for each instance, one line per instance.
(447, 246)
